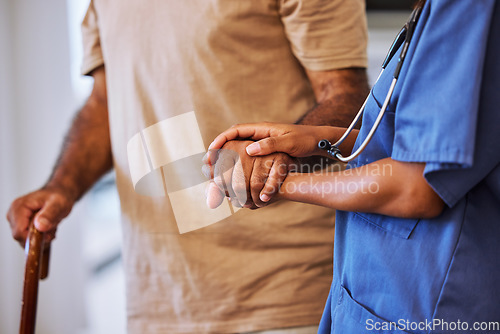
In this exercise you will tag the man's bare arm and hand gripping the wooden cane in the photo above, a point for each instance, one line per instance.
(85, 157)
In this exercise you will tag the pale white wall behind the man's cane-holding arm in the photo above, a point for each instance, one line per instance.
(36, 105)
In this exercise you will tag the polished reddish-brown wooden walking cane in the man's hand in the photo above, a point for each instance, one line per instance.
(37, 267)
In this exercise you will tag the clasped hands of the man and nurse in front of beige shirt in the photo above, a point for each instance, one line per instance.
(251, 171)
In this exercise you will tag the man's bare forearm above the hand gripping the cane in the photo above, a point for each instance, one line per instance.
(86, 153)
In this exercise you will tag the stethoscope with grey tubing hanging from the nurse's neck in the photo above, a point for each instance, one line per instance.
(403, 38)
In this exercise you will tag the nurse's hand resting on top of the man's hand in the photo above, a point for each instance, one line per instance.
(294, 140)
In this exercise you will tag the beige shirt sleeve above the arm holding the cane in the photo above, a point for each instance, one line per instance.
(92, 53)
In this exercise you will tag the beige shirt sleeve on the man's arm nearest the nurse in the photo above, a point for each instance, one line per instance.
(326, 34)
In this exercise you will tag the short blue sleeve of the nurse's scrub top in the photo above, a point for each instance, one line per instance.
(441, 115)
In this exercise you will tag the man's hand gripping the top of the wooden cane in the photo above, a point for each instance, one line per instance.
(47, 206)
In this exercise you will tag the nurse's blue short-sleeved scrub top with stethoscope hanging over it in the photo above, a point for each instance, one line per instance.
(445, 112)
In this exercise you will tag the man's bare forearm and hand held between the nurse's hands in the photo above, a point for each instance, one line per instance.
(339, 94)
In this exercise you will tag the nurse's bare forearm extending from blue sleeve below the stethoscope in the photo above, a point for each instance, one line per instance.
(385, 187)
